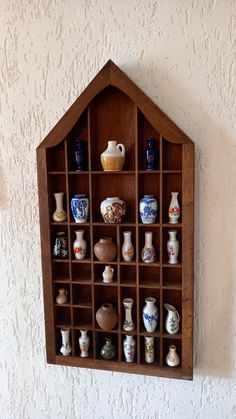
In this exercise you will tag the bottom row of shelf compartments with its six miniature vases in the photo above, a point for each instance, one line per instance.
(107, 347)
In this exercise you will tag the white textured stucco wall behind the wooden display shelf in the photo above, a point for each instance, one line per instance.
(182, 53)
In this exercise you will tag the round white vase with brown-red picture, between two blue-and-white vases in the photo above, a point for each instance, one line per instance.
(113, 210)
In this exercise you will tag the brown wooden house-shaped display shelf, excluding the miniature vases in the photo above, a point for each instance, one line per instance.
(112, 107)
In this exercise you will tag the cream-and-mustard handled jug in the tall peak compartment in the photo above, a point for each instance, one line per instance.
(113, 158)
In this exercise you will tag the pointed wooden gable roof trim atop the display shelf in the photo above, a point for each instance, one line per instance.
(111, 75)
